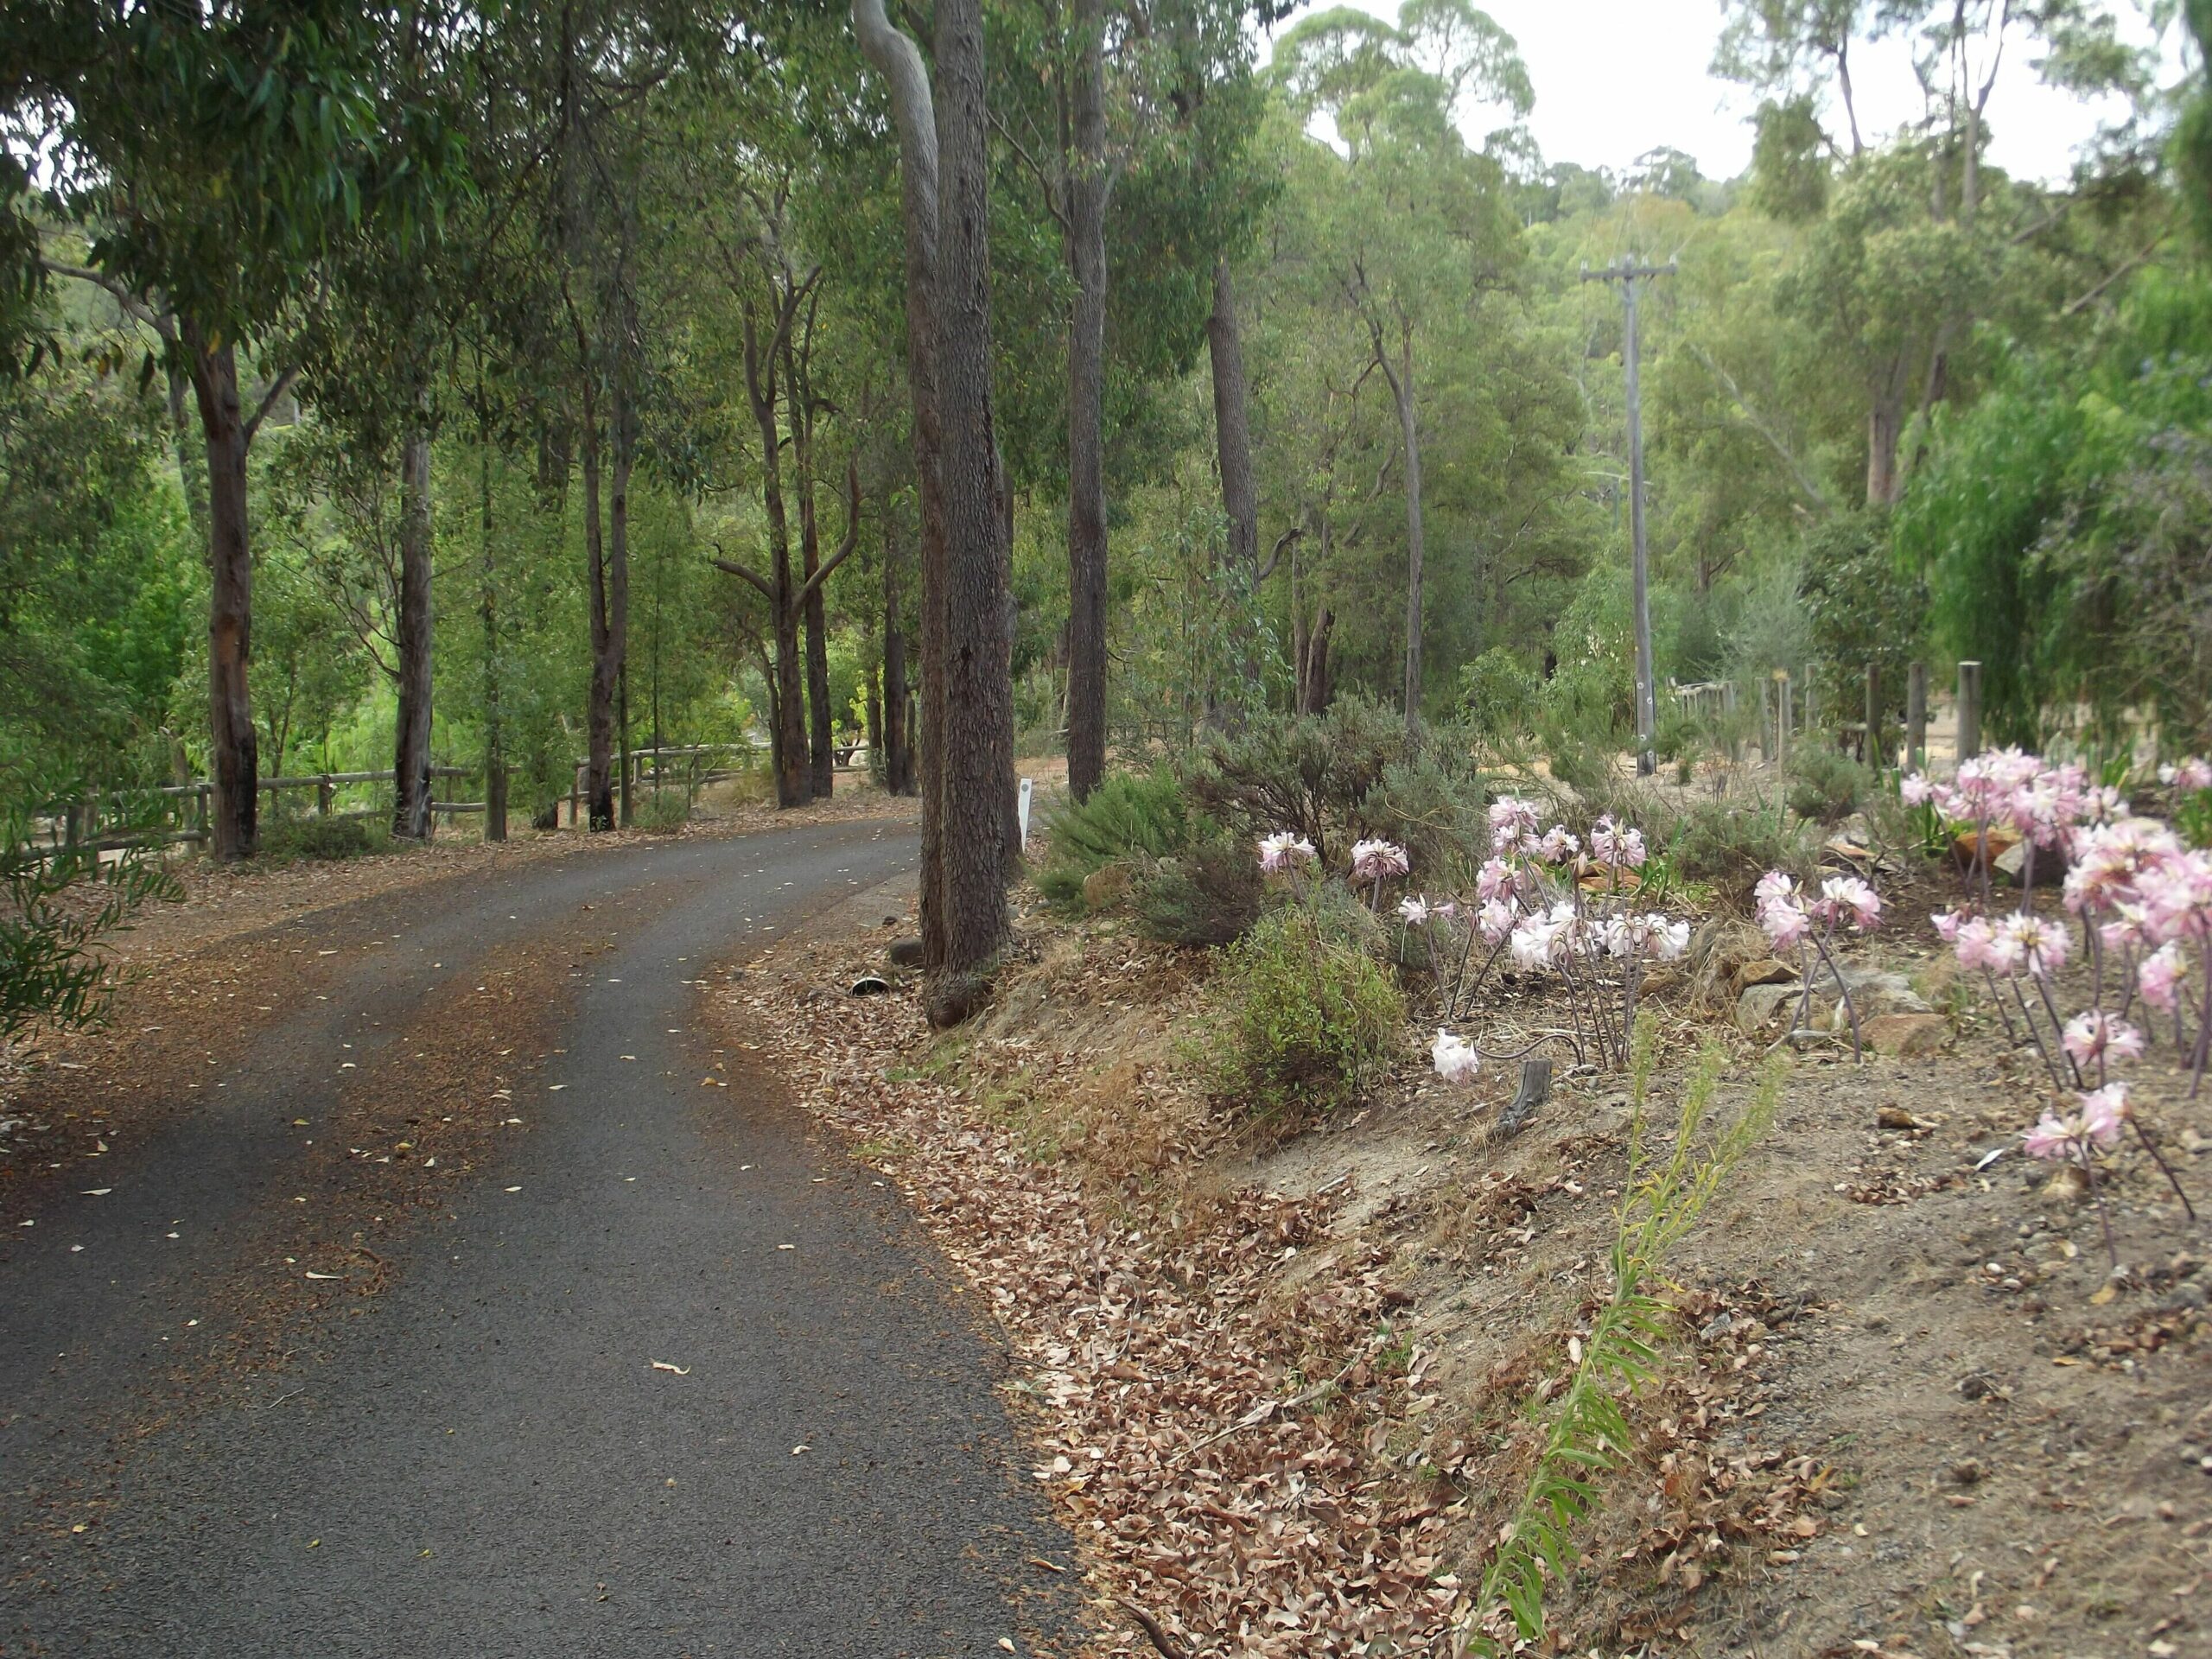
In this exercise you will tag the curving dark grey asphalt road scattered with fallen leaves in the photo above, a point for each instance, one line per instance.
(483, 1459)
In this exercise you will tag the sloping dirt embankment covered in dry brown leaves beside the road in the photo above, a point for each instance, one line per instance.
(1288, 1392)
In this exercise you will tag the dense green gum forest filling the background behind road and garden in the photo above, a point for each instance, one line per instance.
(552, 362)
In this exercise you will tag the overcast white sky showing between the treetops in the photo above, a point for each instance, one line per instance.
(1616, 79)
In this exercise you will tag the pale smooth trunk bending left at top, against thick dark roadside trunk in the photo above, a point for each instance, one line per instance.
(899, 61)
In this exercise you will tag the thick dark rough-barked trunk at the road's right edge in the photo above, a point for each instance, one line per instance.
(979, 747)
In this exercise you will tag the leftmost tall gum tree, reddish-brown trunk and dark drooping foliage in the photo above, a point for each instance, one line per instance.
(216, 156)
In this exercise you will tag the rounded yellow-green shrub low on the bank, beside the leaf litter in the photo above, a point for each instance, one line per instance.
(1311, 1019)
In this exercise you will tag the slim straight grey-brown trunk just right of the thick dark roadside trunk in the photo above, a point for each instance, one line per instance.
(1087, 410)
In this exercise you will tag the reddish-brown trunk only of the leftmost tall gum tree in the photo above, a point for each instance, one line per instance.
(231, 601)
